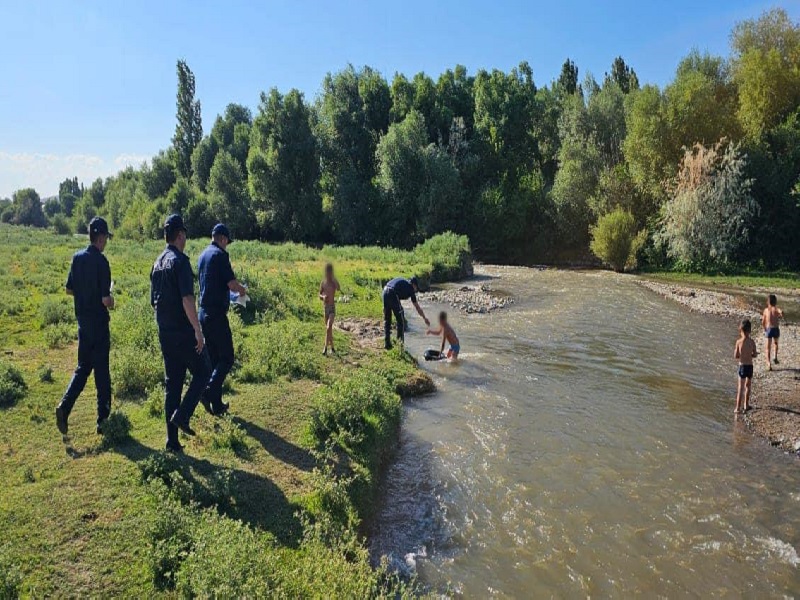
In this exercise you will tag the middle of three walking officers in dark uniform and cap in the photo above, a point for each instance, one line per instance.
(172, 297)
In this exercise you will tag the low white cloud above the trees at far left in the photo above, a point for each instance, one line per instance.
(45, 172)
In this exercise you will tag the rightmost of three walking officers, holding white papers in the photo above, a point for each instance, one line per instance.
(217, 280)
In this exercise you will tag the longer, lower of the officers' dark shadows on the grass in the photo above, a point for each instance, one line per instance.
(255, 499)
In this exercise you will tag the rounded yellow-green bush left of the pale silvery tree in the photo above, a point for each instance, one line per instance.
(615, 240)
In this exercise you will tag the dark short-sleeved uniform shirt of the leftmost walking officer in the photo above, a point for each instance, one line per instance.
(89, 280)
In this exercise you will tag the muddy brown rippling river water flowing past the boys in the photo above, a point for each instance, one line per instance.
(585, 445)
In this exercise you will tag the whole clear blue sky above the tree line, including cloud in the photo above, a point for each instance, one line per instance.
(87, 87)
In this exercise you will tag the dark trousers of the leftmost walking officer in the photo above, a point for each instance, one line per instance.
(94, 344)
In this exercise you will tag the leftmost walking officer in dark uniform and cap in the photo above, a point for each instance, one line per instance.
(89, 283)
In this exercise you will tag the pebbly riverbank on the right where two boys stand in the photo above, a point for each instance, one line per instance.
(776, 393)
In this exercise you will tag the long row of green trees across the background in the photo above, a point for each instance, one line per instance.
(701, 172)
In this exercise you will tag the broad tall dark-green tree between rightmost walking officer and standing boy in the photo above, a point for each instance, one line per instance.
(283, 168)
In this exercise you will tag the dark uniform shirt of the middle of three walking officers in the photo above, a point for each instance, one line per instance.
(170, 281)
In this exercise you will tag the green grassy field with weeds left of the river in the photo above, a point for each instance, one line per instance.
(269, 501)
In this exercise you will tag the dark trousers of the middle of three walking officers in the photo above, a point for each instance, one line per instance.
(179, 356)
